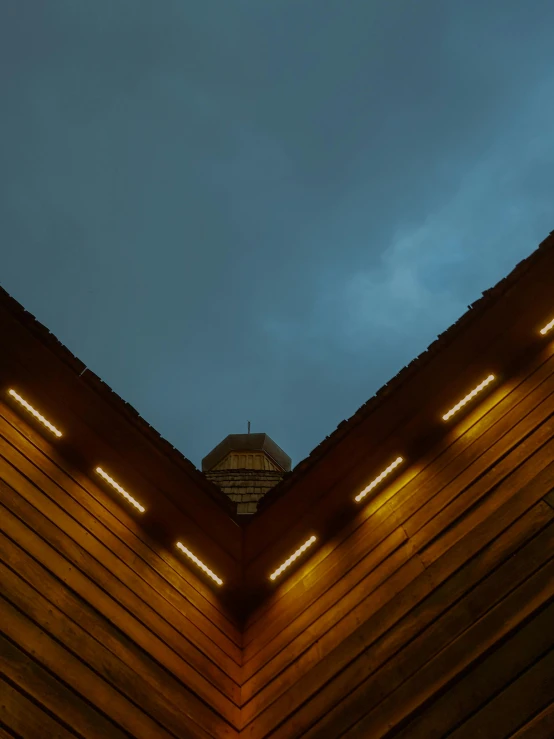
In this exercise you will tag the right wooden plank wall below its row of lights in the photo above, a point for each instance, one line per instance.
(431, 614)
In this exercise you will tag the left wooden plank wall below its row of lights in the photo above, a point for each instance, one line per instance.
(103, 632)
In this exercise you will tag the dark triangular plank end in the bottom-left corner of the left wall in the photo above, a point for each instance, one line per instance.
(26, 719)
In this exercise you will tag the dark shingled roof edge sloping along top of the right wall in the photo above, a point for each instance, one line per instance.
(477, 308)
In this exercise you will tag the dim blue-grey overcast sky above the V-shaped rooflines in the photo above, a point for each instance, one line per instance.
(261, 210)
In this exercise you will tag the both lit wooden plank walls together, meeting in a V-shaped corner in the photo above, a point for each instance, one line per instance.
(428, 615)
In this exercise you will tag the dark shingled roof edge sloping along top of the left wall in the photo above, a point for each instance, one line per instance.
(52, 343)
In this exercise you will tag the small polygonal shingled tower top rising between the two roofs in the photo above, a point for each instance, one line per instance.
(245, 467)
